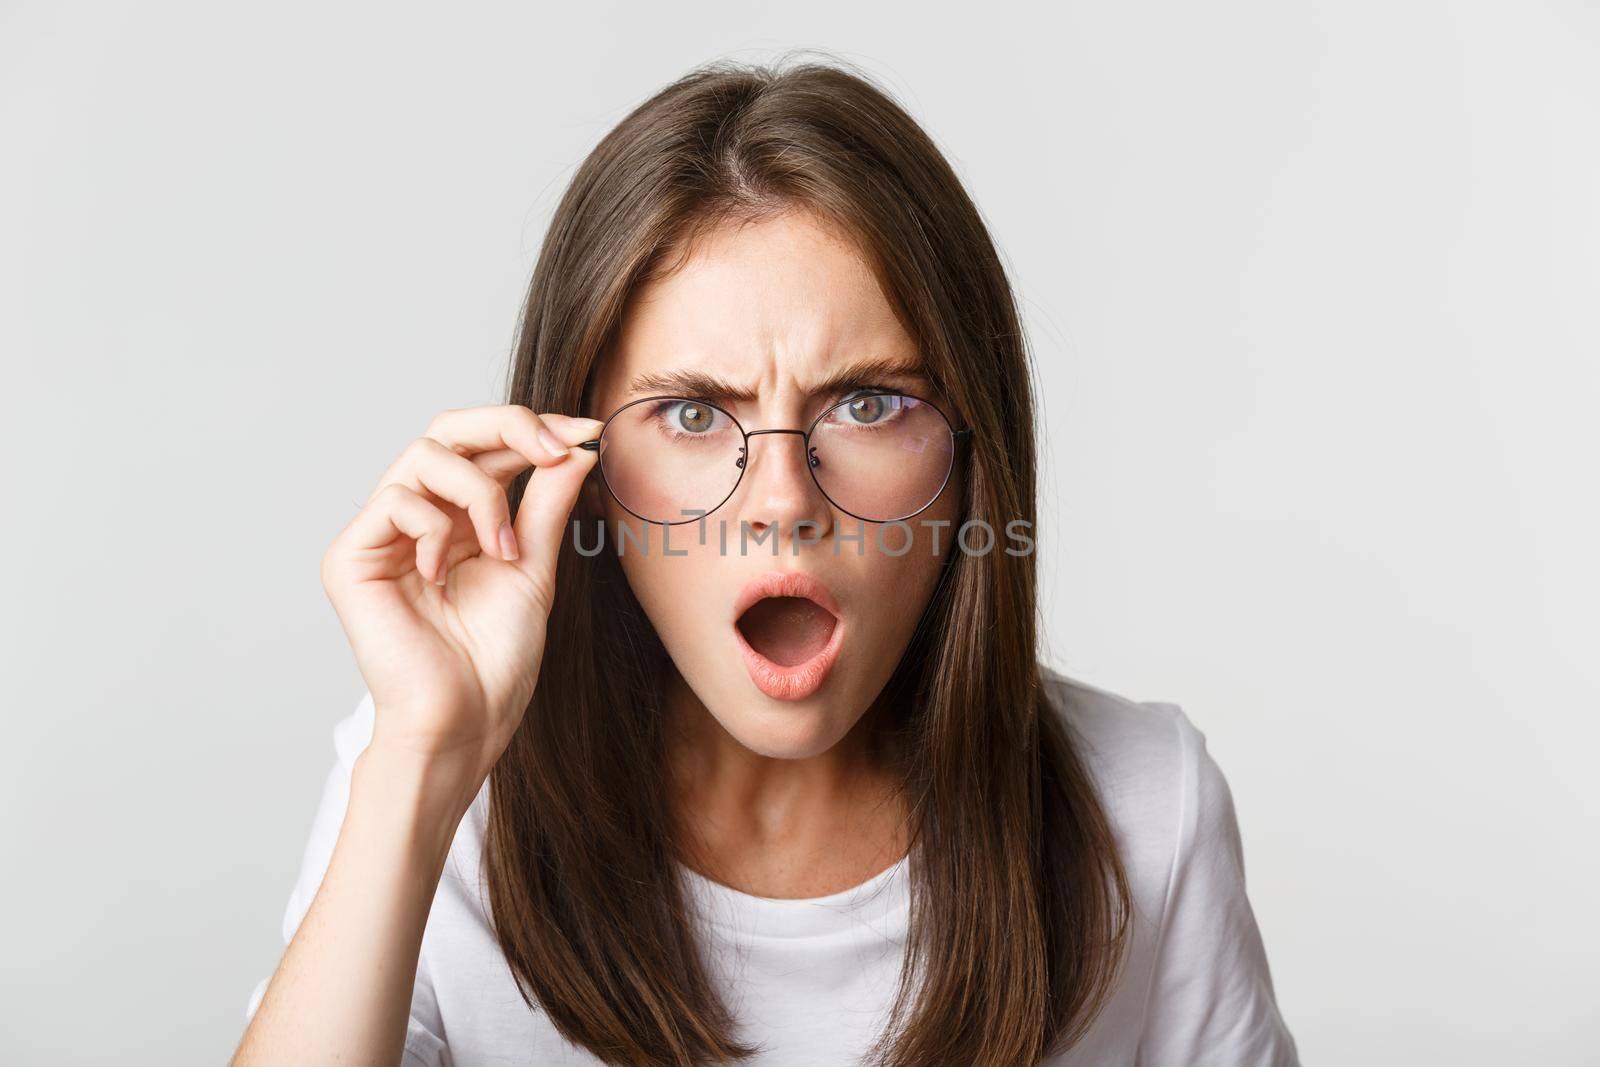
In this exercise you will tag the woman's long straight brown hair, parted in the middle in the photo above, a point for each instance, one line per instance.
(1020, 901)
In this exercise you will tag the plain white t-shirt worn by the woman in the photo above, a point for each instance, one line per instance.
(812, 980)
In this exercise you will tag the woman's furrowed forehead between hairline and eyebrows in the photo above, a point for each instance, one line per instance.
(769, 306)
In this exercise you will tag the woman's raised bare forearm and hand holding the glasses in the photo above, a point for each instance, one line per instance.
(452, 668)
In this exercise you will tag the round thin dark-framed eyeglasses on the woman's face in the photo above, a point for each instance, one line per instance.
(878, 457)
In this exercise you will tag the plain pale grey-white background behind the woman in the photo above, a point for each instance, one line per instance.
(1313, 292)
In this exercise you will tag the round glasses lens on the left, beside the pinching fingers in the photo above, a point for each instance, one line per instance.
(666, 455)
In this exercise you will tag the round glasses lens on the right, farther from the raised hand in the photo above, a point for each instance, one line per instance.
(882, 457)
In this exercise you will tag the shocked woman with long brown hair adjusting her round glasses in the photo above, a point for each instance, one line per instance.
(719, 733)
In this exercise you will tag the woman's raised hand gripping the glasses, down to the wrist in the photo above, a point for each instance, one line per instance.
(444, 596)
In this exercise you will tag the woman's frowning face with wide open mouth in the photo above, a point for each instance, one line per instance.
(774, 311)
